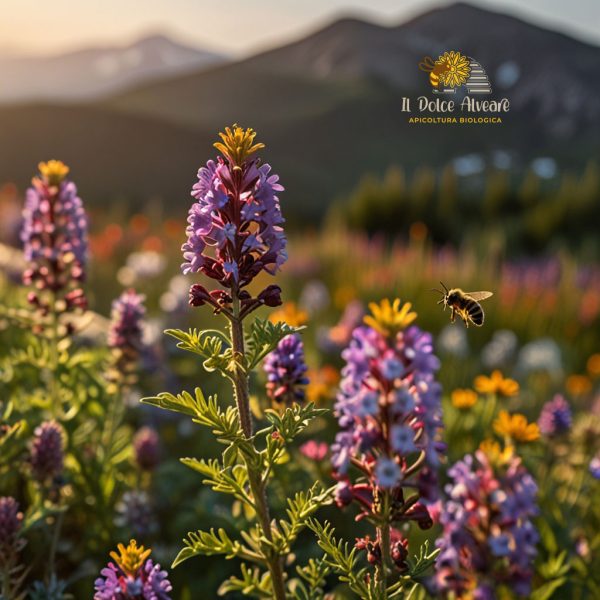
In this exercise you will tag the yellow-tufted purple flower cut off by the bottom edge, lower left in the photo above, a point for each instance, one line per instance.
(132, 576)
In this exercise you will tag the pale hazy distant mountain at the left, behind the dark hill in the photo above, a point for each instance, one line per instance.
(93, 72)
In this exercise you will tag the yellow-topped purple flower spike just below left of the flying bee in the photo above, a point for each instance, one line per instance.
(389, 413)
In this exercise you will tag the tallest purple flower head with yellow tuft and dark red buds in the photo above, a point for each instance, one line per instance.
(235, 226)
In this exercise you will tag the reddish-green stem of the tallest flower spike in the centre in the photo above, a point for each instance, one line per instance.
(258, 488)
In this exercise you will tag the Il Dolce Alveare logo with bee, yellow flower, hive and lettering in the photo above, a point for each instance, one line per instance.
(451, 72)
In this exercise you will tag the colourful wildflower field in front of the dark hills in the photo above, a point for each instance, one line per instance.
(231, 405)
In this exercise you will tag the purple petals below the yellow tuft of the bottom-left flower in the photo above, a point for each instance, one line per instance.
(150, 582)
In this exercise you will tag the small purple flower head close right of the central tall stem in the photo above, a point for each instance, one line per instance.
(286, 371)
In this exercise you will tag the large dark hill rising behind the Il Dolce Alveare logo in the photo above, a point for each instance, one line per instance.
(328, 108)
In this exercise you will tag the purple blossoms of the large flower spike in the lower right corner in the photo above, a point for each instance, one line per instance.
(488, 536)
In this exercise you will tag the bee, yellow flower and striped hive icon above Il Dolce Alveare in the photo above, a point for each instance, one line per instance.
(452, 70)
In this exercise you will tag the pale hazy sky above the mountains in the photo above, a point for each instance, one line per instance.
(238, 26)
